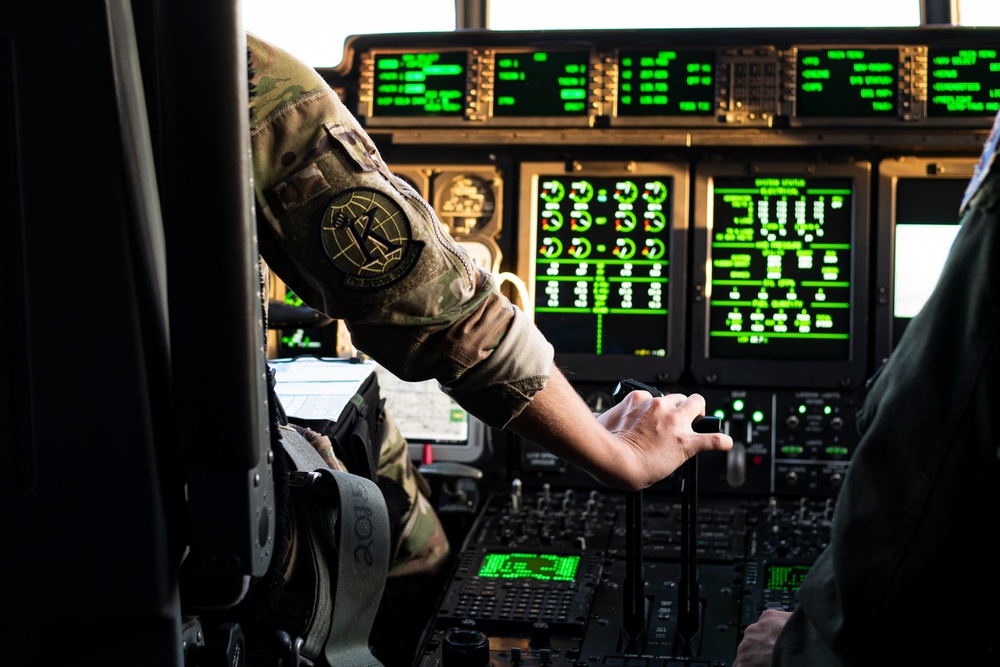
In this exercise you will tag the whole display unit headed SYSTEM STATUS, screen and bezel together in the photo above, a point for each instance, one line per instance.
(780, 262)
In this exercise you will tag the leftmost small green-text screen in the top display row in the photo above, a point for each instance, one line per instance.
(419, 84)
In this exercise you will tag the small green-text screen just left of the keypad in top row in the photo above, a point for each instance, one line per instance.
(666, 83)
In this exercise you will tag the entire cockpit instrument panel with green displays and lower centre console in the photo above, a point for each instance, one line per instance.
(752, 215)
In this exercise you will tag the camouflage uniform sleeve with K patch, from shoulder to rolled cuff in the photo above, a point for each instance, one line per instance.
(359, 244)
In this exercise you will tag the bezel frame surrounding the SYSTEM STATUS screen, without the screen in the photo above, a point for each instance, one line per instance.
(835, 374)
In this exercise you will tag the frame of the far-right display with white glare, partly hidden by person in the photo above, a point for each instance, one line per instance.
(888, 327)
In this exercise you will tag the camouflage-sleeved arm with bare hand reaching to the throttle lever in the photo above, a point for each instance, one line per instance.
(357, 243)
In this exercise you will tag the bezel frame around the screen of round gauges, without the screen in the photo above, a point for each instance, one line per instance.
(611, 368)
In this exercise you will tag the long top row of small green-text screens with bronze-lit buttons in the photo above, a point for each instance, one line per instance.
(674, 79)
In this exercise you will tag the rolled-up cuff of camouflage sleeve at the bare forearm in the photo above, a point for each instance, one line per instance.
(498, 389)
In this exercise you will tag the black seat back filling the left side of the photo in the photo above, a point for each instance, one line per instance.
(124, 197)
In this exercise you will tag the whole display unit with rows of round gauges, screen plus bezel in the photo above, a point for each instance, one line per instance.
(604, 258)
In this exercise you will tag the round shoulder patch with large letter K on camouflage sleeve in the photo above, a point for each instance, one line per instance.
(368, 237)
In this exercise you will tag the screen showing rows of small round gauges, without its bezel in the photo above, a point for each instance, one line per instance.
(602, 263)
